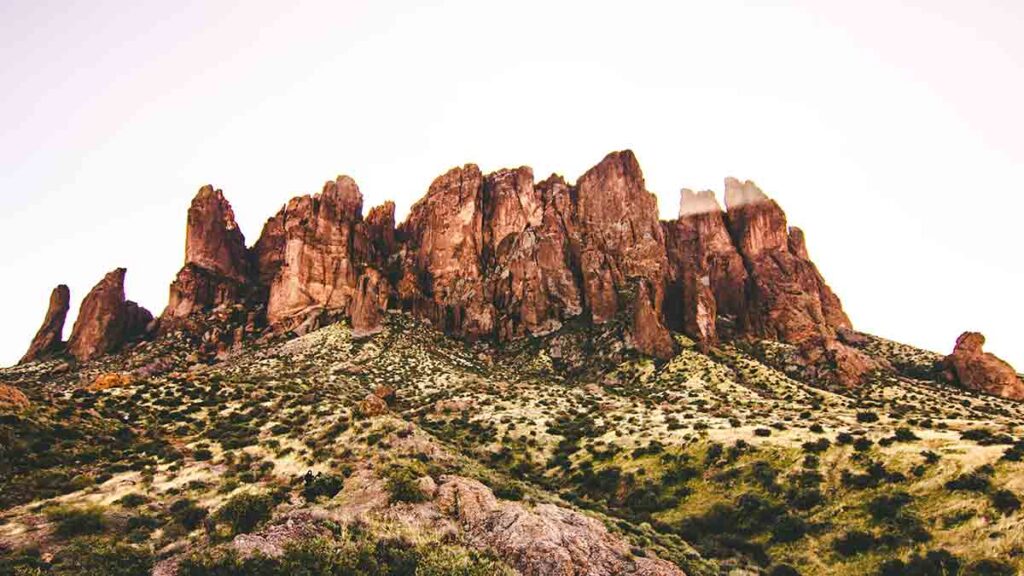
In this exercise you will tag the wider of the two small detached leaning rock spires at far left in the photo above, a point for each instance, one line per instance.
(107, 321)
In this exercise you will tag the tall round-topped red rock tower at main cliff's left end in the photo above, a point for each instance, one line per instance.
(218, 268)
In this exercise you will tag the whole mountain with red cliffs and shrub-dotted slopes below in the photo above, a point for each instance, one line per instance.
(523, 378)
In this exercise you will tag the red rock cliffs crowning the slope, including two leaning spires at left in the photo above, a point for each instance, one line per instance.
(502, 257)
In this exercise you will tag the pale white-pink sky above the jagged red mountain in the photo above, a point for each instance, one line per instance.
(889, 131)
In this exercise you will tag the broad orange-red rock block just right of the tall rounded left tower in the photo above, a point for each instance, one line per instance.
(309, 250)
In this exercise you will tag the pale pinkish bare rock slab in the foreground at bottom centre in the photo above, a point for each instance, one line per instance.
(546, 541)
